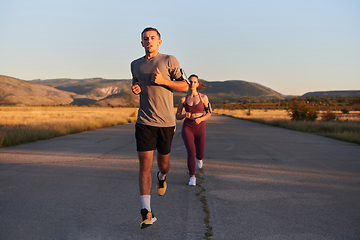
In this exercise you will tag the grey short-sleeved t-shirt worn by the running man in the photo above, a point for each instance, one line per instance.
(156, 101)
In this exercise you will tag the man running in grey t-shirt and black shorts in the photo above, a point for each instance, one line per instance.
(153, 79)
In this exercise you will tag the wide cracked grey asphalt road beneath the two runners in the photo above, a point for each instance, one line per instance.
(260, 182)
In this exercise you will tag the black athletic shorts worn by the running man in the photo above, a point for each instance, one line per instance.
(149, 138)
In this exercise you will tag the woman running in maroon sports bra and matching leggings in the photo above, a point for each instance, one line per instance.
(194, 128)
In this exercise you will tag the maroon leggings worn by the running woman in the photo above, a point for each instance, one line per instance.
(194, 136)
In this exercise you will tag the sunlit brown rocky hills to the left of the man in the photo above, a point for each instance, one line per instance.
(95, 91)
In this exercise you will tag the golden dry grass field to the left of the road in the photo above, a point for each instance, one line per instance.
(27, 124)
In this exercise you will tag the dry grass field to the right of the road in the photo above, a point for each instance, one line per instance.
(345, 128)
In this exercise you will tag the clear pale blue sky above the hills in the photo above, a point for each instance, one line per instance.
(291, 46)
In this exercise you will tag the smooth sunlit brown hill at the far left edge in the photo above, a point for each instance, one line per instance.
(14, 91)
